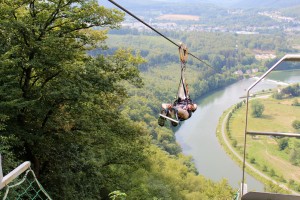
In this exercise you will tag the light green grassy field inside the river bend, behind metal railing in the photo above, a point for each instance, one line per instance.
(263, 151)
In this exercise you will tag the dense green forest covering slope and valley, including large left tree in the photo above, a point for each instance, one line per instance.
(80, 100)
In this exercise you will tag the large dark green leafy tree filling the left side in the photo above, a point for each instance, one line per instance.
(62, 106)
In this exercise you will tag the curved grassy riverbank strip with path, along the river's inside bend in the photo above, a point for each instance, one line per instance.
(236, 154)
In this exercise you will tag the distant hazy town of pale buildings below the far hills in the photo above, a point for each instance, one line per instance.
(175, 22)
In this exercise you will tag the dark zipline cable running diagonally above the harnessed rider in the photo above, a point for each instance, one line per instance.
(162, 35)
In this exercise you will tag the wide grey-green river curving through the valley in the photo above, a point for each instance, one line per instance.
(197, 135)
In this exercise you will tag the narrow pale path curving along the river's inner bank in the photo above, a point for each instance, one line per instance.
(246, 163)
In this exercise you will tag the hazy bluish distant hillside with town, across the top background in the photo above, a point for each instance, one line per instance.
(242, 17)
